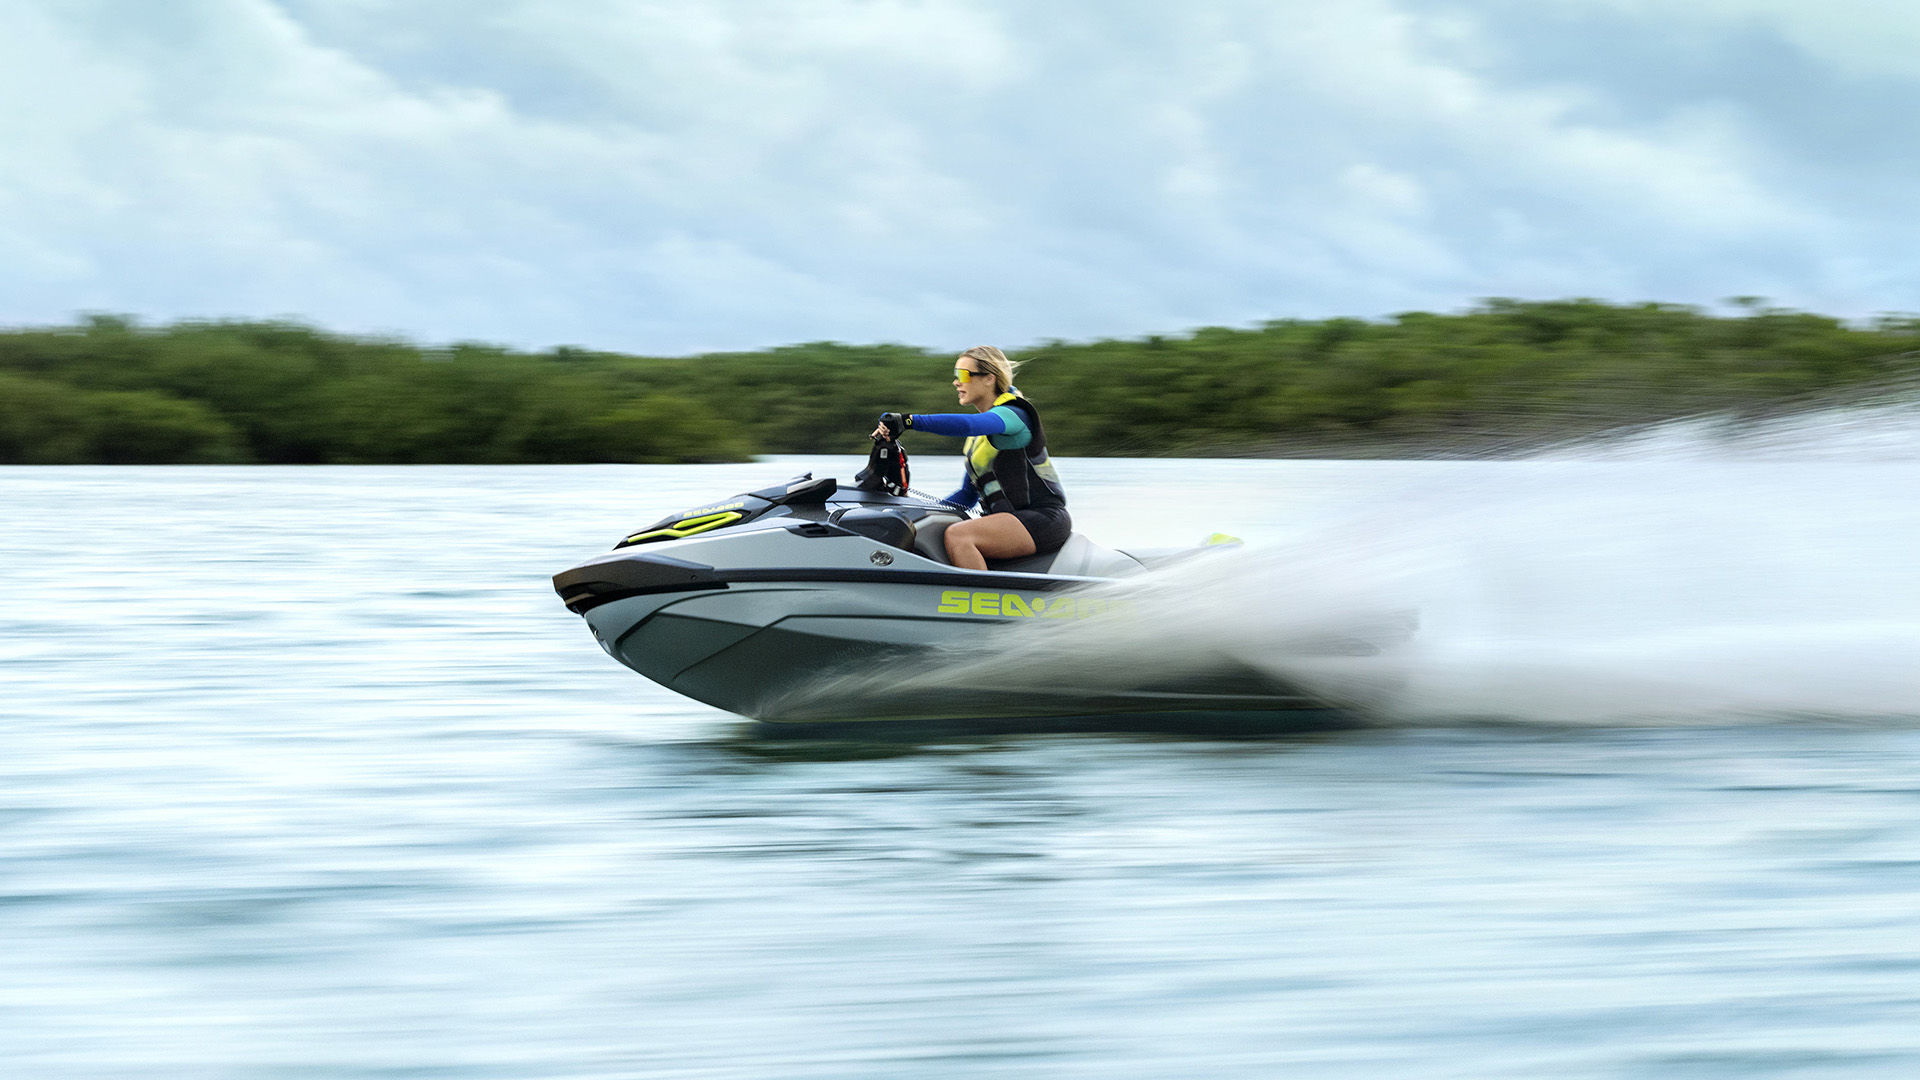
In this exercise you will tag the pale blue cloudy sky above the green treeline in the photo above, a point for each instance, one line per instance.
(677, 176)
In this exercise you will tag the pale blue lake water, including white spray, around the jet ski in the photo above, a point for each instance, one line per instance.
(306, 773)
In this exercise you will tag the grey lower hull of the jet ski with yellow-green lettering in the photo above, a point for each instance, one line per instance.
(779, 650)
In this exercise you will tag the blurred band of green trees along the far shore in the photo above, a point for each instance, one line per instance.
(108, 391)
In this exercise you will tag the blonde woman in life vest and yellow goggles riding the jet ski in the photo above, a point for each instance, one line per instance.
(1007, 466)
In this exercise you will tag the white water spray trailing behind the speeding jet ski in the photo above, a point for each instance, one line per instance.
(1687, 574)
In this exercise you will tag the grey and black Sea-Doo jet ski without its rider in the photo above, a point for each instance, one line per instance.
(746, 601)
